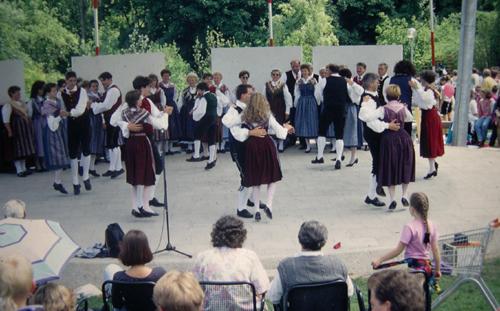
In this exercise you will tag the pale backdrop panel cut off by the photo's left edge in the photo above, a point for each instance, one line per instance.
(12, 73)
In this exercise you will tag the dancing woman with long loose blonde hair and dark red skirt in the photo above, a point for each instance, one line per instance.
(261, 158)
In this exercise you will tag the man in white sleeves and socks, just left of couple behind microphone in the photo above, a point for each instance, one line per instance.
(112, 100)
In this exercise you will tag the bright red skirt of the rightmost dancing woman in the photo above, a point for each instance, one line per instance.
(431, 134)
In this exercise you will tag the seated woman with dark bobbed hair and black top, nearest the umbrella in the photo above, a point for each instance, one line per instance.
(134, 253)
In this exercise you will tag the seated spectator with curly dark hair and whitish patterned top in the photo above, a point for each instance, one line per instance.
(228, 261)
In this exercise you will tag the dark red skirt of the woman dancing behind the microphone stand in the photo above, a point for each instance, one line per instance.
(139, 161)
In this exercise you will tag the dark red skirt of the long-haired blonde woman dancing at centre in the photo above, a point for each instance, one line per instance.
(261, 162)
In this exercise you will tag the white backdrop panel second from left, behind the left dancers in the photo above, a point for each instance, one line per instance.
(124, 68)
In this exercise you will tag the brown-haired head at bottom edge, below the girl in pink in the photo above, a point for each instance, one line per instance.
(393, 290)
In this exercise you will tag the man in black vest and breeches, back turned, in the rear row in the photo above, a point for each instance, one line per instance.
(333, 90)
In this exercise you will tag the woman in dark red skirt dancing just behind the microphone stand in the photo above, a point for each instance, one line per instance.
(139, 159)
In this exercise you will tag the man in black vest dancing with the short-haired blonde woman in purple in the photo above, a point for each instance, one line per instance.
(372, 129)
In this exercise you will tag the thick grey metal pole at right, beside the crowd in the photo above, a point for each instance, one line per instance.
(465, 60)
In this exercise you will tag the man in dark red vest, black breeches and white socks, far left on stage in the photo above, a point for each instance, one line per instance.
(75, 104)
